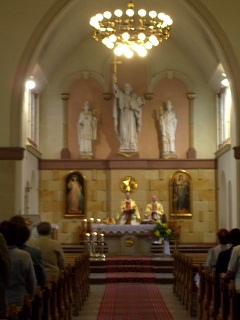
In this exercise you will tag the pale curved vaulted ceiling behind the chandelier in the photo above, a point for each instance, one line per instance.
(71, 27)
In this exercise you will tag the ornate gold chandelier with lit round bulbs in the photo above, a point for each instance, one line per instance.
(126, 32)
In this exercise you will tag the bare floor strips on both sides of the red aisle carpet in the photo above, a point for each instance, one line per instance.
(91, 306)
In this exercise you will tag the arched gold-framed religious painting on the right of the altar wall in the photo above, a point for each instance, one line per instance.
(180, 194)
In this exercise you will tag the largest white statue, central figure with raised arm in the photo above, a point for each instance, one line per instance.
(127, 114)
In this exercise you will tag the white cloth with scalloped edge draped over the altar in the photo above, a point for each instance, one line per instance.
(123, 229)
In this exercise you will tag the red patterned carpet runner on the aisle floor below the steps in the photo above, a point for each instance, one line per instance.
(125, 301)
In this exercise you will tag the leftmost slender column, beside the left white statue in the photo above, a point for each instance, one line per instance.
(65, 153)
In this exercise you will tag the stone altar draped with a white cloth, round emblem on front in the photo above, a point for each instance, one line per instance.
(126, 239)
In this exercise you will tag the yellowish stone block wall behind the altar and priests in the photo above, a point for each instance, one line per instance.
(103, 196)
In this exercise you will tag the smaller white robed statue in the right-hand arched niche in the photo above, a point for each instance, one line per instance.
(168, 125)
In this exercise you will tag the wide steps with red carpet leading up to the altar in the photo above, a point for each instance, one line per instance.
(157, 269)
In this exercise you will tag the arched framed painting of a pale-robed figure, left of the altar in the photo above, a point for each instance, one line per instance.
(75, 187)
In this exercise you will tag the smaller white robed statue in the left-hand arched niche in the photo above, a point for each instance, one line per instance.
(87, 130)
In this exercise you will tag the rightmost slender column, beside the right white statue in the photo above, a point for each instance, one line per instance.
(191, 154)
